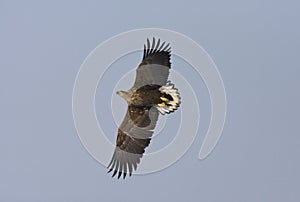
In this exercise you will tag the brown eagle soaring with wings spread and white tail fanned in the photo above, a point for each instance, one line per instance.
(151, 94)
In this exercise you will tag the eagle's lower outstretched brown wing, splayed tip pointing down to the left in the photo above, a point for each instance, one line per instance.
(134, 135)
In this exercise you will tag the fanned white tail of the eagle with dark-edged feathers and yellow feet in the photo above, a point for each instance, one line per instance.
(170, 99)
